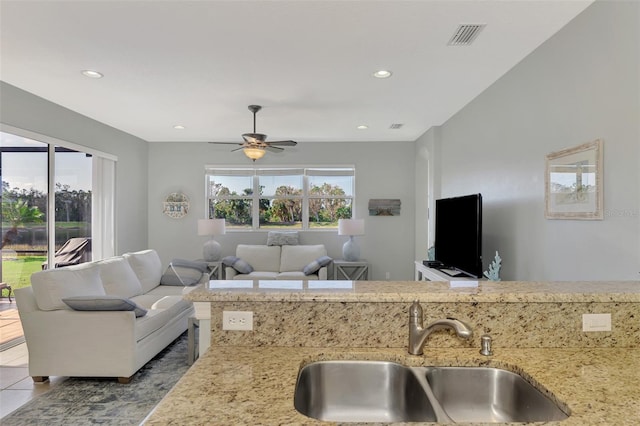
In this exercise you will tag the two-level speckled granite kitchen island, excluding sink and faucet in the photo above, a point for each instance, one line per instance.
(249, 377)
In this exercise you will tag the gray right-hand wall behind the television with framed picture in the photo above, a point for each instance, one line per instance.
(580, 85)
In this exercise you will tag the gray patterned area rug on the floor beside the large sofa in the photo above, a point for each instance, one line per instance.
(82, 401)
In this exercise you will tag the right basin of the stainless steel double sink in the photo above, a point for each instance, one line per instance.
(483, 394)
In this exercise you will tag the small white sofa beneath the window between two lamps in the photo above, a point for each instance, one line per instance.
(285, 262)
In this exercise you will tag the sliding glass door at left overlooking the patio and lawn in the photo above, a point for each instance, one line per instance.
(39, 230)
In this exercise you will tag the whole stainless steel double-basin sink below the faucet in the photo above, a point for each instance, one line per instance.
(380, 391)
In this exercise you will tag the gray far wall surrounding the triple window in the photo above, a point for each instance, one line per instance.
(383, 170)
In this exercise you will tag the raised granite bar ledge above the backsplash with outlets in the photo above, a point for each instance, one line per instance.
(425, 291)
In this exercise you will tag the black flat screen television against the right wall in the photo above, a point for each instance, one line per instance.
(458, 235)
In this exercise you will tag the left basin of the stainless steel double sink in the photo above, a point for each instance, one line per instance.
(361, 391)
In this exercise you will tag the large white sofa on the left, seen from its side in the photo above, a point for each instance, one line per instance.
(66, 342)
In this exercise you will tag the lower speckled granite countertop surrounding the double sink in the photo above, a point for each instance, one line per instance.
(246, 385)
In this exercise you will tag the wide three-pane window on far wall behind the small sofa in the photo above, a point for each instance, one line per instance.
(280, 198)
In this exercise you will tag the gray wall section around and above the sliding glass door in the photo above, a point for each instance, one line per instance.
(29, 112)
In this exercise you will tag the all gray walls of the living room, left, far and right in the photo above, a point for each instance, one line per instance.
(578, 86)
